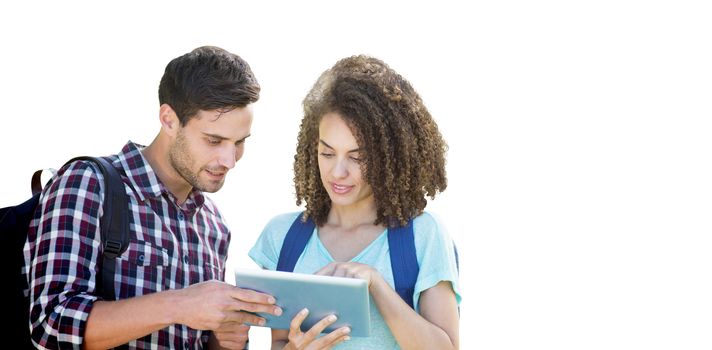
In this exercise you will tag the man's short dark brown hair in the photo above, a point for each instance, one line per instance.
(207, 78)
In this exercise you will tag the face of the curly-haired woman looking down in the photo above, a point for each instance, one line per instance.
(340, 163)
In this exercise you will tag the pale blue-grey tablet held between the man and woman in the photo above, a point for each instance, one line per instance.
(347, 298)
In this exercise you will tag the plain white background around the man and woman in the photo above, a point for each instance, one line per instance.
(579, 165)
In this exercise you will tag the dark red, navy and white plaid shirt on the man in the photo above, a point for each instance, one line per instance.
(171, 247)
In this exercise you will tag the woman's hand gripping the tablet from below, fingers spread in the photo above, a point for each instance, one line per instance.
(299, 340)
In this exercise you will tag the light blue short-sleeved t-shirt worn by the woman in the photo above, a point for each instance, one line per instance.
(434, 250)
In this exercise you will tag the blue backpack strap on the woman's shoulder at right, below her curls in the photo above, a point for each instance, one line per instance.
(404, 261)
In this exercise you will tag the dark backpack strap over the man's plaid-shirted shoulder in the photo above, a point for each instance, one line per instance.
(114, 224)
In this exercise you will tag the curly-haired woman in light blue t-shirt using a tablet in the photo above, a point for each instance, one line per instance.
(368, 154)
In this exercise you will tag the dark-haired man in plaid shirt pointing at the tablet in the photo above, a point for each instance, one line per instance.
(168, 282)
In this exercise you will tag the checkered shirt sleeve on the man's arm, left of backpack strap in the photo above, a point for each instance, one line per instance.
(64, 248)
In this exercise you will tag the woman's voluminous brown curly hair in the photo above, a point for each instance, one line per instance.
(402, 150)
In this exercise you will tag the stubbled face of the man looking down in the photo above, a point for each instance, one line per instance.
(209, 145)
